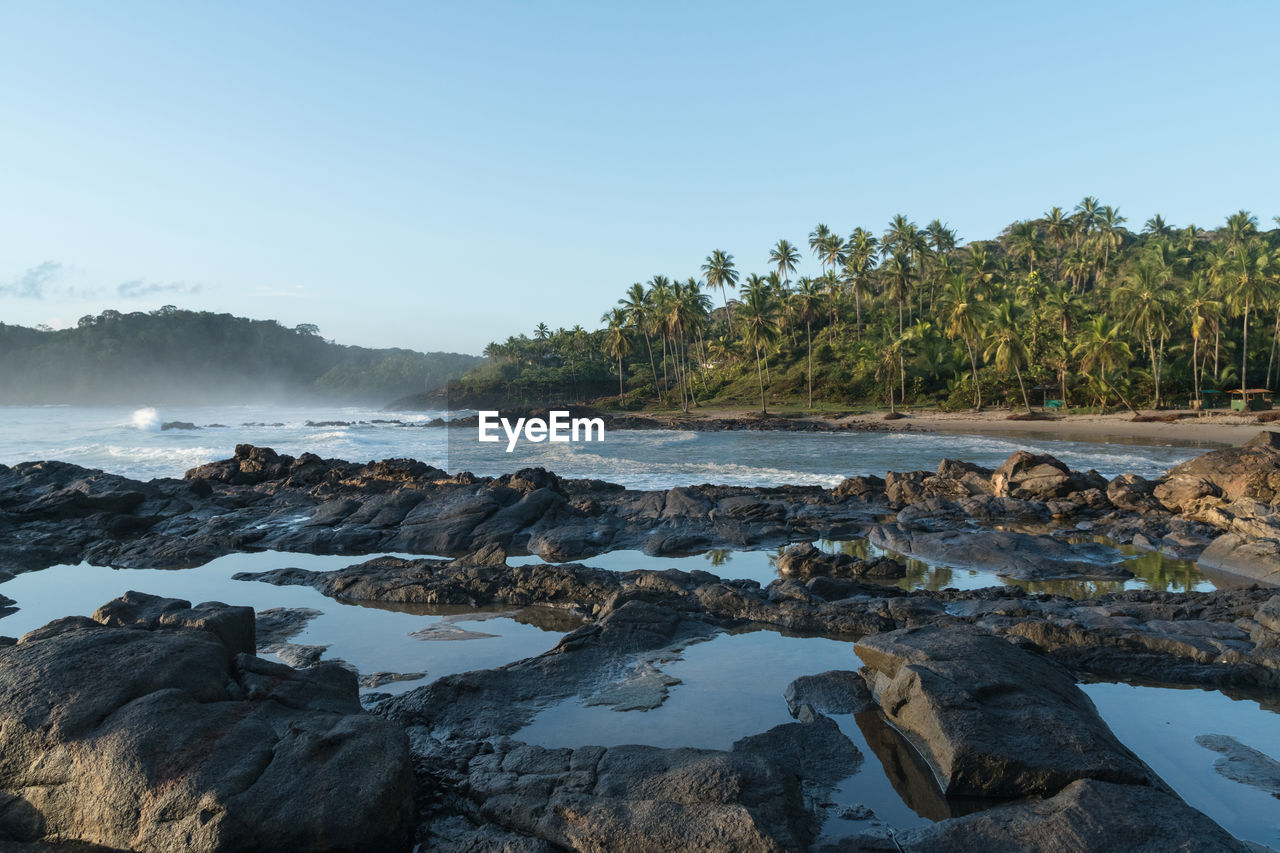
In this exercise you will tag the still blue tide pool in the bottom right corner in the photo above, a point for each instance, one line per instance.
(1162, 726)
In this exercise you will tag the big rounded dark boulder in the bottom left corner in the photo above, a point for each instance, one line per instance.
(154, 727)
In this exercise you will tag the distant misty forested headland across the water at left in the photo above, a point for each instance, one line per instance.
(198, 357)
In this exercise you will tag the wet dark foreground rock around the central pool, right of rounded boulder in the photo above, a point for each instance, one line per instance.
(1002, 709)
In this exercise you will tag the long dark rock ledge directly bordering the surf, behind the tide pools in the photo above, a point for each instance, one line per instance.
(258, 500)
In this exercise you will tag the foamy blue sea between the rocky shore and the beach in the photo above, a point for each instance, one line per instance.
(132, 441)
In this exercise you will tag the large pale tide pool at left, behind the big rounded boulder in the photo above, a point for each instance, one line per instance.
(371, 638)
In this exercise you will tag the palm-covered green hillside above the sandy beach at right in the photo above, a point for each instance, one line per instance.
(1071, 307)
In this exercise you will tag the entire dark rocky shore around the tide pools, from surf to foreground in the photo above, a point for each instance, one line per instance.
(198, 743)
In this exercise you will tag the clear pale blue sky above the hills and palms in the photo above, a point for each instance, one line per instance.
(437, 176)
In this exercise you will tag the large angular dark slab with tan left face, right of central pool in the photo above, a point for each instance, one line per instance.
(991, 719)
